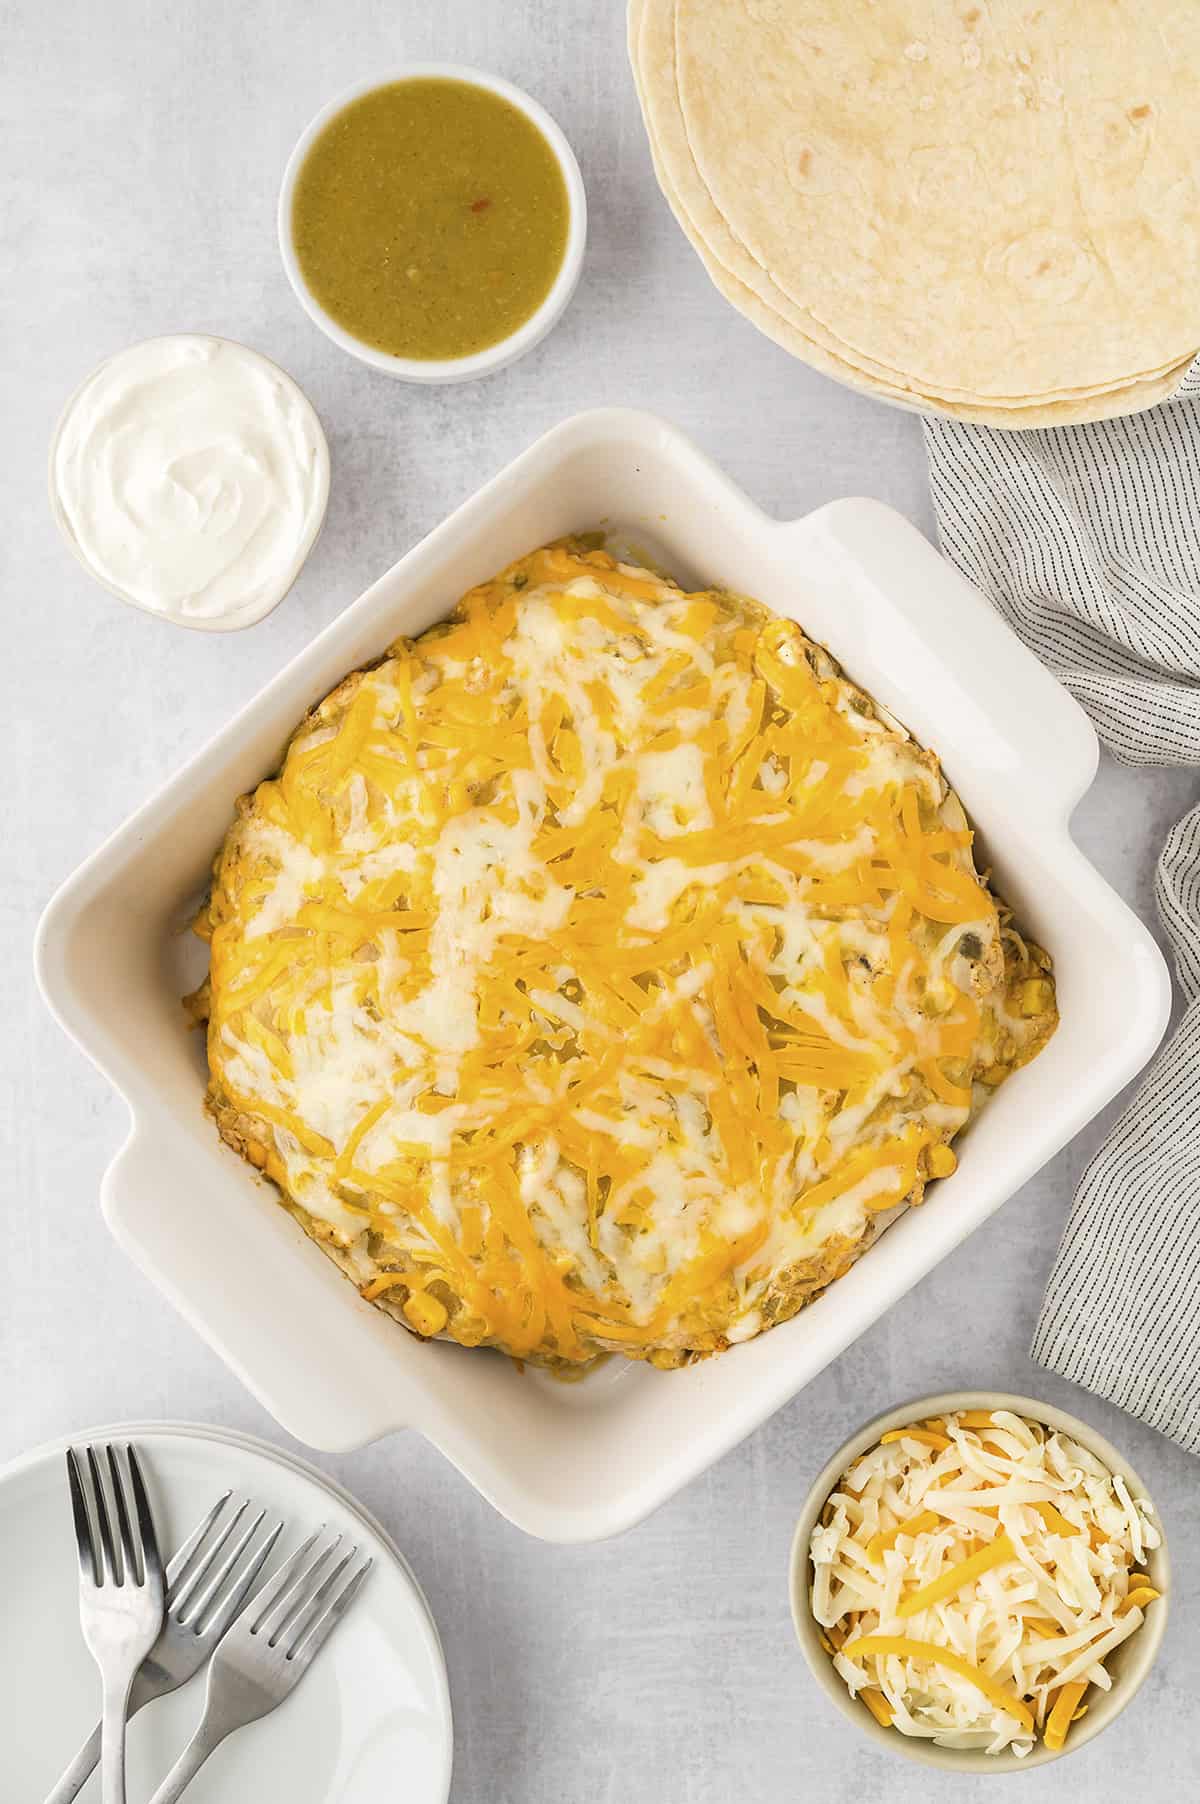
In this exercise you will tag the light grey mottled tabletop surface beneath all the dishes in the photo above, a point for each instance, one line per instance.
(143, 145)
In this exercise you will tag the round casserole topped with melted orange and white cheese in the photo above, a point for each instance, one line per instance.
(604, 968)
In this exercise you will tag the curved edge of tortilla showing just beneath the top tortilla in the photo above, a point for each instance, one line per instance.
(752, 290)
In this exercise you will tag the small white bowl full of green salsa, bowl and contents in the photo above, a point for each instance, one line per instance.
(434, 223)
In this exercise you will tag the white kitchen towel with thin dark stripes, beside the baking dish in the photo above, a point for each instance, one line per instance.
(1087, 538)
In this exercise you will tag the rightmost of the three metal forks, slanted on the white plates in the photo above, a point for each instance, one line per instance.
(268, 1652)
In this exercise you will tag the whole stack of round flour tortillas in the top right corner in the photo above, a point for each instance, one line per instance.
(979, 208)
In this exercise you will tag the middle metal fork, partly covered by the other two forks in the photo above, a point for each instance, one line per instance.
(207, 1585)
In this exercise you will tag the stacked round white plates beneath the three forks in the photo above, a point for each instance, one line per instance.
(373, 1707)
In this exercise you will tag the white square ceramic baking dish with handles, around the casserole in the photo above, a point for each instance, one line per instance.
(587, 1460)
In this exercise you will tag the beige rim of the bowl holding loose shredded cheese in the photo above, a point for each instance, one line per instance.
(1103, 1709)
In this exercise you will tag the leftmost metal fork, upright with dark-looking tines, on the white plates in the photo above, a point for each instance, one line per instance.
(120, 1592)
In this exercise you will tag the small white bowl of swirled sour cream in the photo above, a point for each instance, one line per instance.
(190, 477)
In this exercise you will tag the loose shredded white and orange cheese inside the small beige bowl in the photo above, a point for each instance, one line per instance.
(974, 1576)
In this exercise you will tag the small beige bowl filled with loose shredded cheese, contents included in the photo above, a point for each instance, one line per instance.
(979, 1581)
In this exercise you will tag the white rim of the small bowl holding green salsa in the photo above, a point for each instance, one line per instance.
(533, 329)
